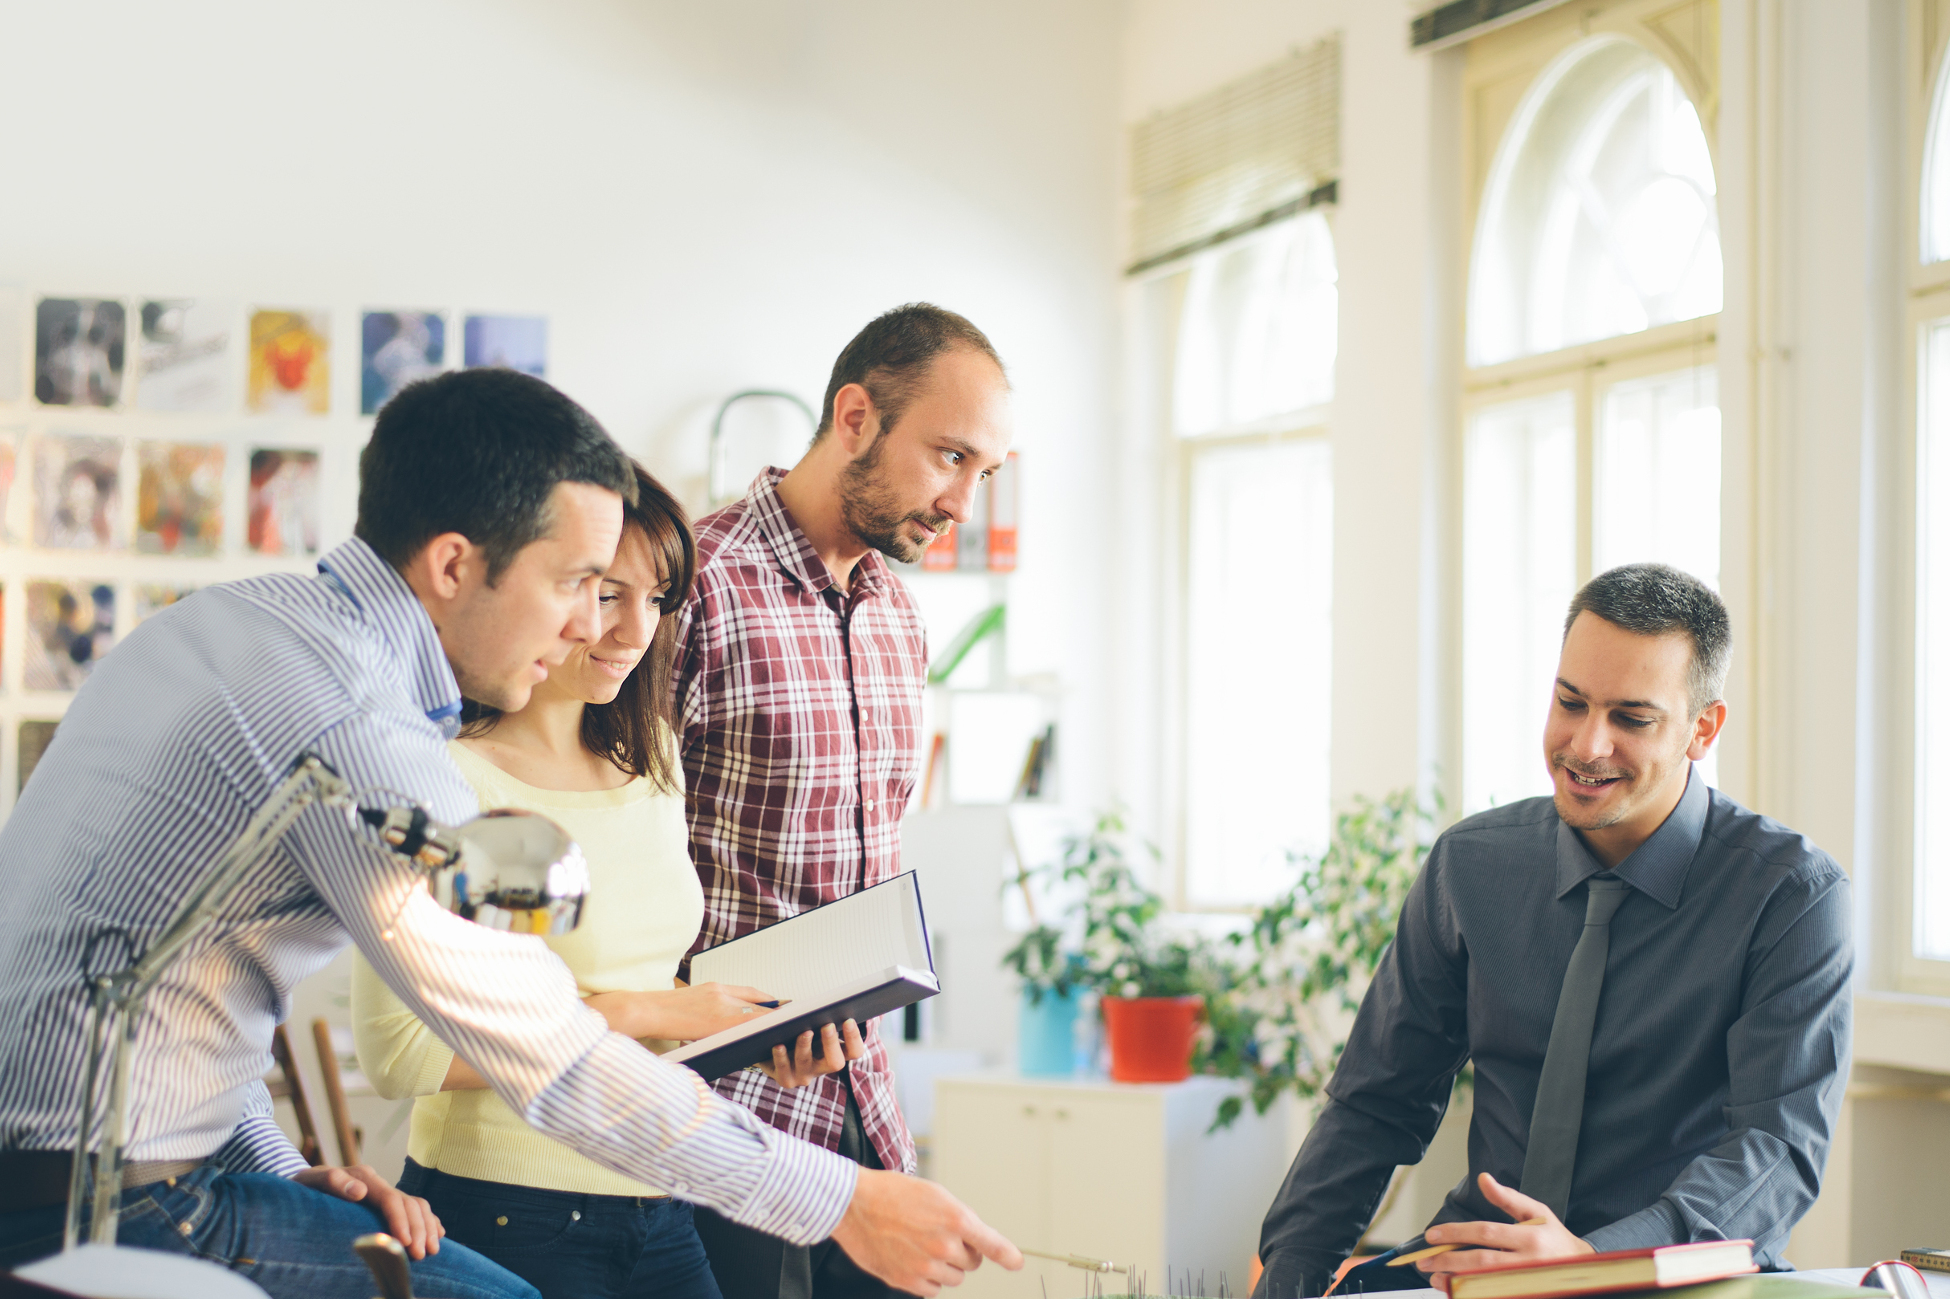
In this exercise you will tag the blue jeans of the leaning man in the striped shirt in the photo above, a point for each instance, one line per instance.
(293, 1241)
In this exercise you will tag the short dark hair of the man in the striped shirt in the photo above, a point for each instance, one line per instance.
(479, 453)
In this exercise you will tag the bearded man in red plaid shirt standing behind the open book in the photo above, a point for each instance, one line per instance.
(799, 689)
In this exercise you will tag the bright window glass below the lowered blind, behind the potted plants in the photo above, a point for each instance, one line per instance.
(1251, 389)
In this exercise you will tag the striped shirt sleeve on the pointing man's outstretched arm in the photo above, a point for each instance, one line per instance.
(510, 1007)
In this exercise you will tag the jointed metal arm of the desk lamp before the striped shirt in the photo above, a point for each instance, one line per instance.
(116, 1002)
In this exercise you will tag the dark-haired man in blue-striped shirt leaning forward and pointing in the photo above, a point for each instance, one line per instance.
(488, 510)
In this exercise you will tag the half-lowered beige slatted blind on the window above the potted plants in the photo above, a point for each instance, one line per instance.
(1247, 155)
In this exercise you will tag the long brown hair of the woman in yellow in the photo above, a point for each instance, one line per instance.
(637, 728)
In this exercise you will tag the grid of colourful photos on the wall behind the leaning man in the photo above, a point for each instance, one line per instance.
(151, 448)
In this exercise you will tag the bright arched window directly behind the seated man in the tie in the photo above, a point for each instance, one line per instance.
(1588, 444)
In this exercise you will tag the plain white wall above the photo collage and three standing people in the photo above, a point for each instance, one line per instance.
(699, 198)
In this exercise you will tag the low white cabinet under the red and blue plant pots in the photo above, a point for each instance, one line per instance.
(1111, 1171)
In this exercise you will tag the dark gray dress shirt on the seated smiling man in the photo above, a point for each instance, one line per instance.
(1719, 1056)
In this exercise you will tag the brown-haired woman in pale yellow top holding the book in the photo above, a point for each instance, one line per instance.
(594, 752)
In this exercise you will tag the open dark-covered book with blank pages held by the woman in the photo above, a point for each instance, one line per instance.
(847, 961)
